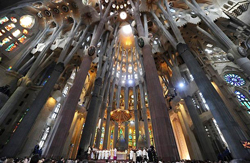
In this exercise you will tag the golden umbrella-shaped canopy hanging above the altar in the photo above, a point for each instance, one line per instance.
(120, 115)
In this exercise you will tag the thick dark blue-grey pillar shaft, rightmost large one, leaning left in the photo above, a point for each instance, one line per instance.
(229, 128)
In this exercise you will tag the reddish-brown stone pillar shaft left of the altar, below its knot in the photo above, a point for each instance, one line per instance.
(68, 109)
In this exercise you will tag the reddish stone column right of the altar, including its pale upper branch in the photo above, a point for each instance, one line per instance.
(162, 129)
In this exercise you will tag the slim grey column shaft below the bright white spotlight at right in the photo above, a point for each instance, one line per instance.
(205, 144)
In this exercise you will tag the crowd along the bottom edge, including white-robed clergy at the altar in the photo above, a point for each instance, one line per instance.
(131, 156)
